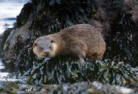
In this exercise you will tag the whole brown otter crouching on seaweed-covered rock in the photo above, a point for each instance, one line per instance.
(82, 40)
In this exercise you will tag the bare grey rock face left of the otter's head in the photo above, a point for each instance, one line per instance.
(16, 35)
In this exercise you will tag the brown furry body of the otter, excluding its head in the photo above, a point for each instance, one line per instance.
(82, 40)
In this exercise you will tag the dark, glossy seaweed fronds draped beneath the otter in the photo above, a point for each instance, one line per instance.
(57, 71)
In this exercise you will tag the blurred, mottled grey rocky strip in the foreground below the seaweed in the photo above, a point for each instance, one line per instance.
(76, 88)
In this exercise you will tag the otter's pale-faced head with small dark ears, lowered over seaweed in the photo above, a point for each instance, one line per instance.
(45, 47)
